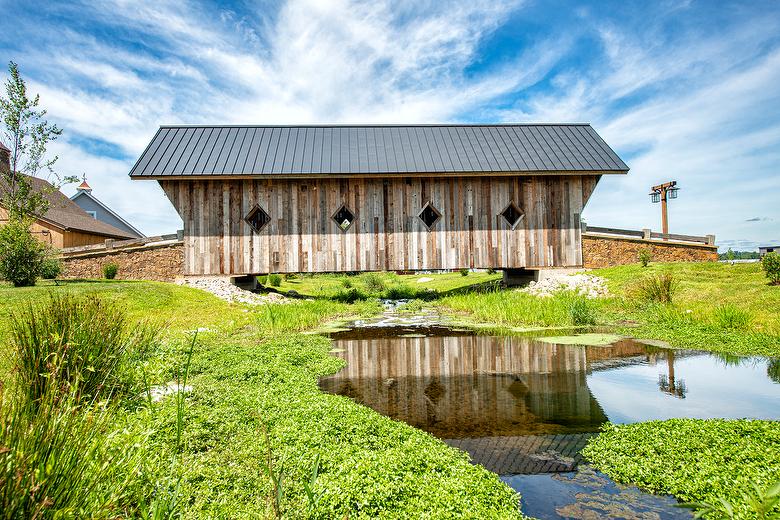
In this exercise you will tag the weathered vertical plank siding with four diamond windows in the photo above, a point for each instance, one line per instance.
(387, 234)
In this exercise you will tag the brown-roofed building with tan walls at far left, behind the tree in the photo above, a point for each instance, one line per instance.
(64, 224)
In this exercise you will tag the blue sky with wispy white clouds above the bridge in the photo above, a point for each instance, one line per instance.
(681, 90)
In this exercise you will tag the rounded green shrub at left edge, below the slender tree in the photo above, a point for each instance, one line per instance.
(21, 254)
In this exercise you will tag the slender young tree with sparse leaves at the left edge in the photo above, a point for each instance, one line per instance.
(27, 134)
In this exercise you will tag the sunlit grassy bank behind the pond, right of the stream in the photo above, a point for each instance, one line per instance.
(716, 307)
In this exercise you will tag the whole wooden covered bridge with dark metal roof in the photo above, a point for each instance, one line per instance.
(340, 198)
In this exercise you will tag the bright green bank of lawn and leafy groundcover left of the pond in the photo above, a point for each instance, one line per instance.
(255, 403)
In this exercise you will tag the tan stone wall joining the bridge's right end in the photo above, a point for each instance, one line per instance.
(601, 251)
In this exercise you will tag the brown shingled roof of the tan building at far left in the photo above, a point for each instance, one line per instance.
(66, 214)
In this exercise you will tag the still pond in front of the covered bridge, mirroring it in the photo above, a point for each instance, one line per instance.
(524, 408)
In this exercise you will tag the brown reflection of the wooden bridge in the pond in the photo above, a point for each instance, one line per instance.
(491, 396)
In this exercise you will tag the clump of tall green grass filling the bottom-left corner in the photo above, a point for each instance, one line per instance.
(56, 460)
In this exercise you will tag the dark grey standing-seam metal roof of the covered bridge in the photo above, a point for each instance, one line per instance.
(302, 151)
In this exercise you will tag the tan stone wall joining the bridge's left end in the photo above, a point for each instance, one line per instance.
(151, 262)
